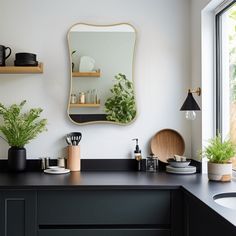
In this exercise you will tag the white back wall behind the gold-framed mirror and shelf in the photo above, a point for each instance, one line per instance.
(162, 69)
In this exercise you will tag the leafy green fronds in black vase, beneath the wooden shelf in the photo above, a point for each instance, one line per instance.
(18, 129)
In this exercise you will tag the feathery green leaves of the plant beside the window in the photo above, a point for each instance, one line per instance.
(219, 151)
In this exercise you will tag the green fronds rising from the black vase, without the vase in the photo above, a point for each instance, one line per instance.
(19, 128)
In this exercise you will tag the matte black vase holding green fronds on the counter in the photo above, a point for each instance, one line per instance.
(16, 159)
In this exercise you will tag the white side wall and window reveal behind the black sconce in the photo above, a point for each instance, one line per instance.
(202, 69)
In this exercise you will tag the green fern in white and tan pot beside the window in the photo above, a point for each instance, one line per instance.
(219, 153)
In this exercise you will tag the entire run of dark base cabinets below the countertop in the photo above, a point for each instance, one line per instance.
(104, 212)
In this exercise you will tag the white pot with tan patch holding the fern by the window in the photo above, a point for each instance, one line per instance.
(220, 172)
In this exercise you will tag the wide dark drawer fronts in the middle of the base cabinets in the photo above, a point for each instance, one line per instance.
(104, 212)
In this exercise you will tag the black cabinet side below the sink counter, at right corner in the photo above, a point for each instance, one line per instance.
(202, 220)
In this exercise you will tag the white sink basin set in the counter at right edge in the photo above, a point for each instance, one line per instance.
(226, 199)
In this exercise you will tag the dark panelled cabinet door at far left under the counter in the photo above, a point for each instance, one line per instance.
(17, 213)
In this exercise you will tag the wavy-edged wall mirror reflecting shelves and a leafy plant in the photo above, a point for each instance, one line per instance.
(102, 87)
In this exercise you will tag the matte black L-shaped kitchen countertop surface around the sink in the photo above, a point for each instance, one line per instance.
(197, 184)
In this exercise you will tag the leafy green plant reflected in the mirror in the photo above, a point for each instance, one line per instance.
(120, 107)
